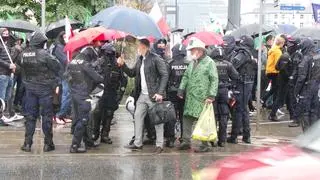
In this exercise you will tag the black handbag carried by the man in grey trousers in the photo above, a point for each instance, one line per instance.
(162, 112)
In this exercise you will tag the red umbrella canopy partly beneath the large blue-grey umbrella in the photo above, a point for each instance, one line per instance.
(87, 36)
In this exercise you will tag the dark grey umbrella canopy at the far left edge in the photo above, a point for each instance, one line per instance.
(19, 26)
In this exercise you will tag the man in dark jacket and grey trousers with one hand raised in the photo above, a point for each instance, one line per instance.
(151, 80)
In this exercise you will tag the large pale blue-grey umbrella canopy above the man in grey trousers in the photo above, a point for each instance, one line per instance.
(128, 20)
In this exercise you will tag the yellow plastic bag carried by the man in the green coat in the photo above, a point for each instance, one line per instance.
(205, 129)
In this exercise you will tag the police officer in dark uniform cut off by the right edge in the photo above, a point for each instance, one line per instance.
(307, 85)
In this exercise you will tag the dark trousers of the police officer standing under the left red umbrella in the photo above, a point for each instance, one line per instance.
(81, 109)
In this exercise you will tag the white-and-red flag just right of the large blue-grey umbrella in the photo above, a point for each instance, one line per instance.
(157, 16)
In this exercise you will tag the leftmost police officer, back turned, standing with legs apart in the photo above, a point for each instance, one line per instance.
(40, 78)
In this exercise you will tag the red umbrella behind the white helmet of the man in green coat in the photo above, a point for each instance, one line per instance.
(209, 38)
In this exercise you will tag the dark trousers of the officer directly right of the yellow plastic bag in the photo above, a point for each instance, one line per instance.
(222, 113)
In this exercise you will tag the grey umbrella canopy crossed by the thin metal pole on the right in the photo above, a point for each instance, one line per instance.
(251, 30)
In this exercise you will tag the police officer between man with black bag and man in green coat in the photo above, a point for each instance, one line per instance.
(178, 66)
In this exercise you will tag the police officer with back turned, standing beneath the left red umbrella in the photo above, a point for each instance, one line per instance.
(82, 79)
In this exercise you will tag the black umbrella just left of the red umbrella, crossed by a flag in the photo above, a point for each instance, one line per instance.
(53, 29)
